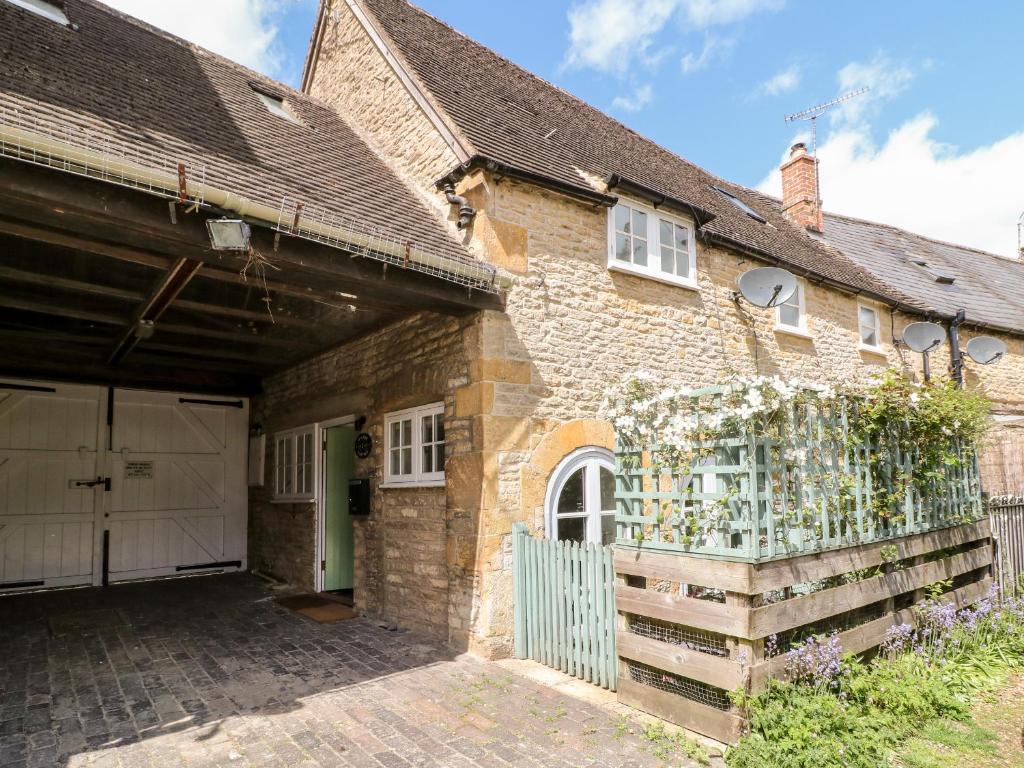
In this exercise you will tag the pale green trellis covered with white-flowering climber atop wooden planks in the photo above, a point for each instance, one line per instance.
(746, 498)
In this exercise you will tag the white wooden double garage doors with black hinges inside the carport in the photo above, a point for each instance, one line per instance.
(121, 484)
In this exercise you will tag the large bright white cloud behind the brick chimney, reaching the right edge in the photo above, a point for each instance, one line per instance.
(914, 182)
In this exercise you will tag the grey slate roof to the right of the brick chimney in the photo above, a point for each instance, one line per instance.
(990, 288)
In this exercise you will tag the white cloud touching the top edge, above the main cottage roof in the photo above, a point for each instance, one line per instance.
(612, 35)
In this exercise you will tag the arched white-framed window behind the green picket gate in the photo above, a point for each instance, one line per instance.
(581, 500)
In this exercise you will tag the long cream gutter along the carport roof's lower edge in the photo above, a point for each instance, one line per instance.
(59, 154)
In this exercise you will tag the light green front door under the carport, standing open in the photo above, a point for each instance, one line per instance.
(338, 554)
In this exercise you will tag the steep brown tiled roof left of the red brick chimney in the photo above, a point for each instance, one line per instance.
(513, 117)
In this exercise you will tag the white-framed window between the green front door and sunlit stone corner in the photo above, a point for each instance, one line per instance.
(415, 447)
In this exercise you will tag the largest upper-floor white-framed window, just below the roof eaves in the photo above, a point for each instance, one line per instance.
(655, 244)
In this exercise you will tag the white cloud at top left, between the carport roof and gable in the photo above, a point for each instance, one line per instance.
(241, 30)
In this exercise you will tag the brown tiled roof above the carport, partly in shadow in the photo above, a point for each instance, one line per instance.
(123, 80)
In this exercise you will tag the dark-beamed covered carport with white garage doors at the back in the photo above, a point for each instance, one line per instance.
(132, 345)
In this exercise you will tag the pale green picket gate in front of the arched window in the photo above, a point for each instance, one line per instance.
(565, 607)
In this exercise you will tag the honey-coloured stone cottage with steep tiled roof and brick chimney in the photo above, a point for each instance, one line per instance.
(621, 257)
